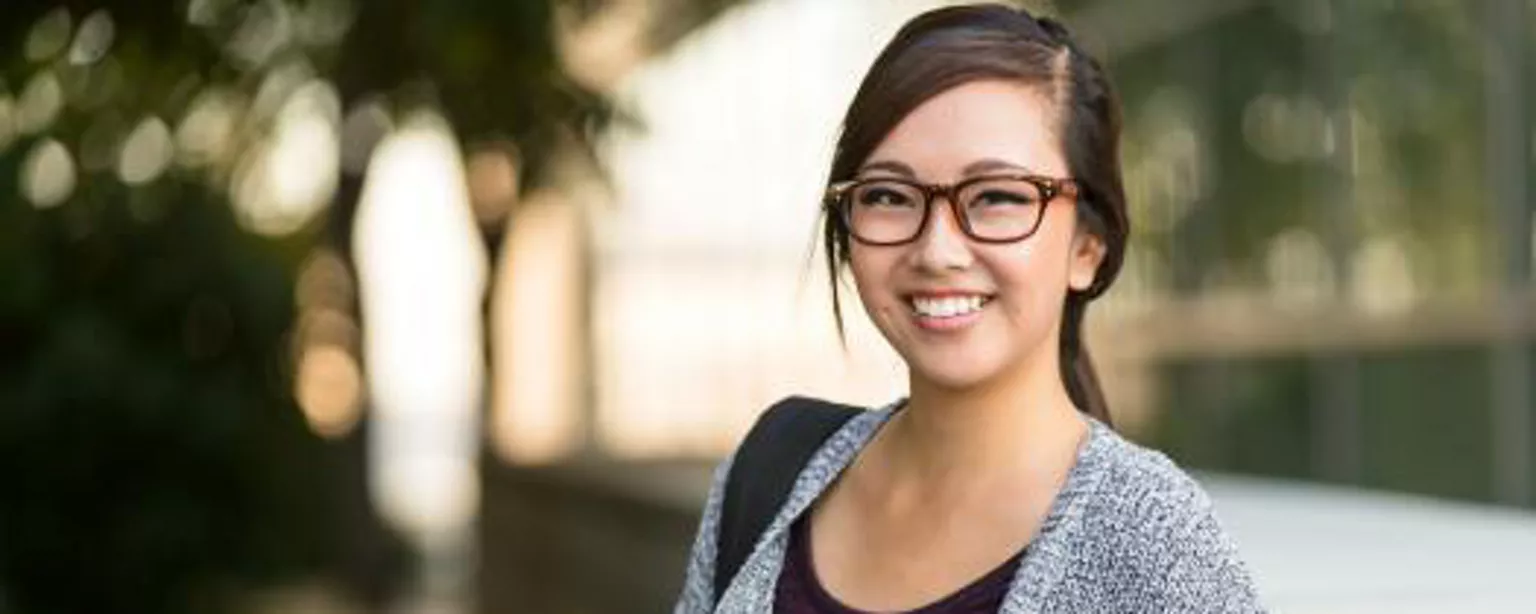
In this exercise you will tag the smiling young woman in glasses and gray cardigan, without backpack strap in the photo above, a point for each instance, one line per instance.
(976, 200)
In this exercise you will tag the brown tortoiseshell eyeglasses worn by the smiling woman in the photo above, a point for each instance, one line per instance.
(990, 210)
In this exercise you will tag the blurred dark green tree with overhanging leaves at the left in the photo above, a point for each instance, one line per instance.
(151, 454)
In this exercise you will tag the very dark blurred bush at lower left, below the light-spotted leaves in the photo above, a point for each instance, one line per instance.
(153, 457)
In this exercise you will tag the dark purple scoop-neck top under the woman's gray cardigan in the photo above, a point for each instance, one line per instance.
(799, 592)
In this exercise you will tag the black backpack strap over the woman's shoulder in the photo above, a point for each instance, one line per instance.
(764, 470)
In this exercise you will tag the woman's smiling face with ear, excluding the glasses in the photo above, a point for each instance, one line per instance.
(964, 312)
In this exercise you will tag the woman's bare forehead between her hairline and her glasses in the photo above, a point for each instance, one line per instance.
(981, 120)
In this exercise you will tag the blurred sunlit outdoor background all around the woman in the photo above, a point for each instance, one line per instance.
(446, 308)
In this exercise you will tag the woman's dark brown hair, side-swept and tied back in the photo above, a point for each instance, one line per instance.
(952, 47)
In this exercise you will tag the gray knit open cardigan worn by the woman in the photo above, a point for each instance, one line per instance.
(1128, 533)
